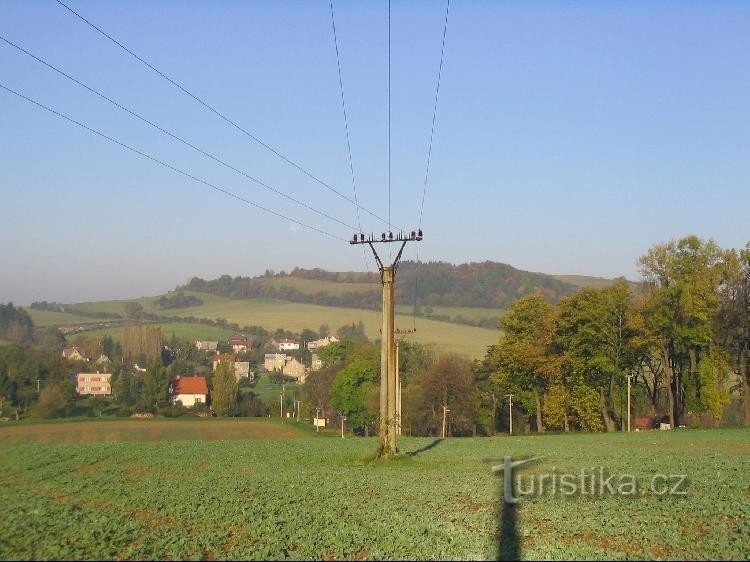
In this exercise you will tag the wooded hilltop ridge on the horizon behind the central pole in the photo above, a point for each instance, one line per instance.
(486, 285)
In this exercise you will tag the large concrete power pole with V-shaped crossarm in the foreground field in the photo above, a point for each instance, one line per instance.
(388, 412)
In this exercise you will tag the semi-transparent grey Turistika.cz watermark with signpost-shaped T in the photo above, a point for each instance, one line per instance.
(594, 481)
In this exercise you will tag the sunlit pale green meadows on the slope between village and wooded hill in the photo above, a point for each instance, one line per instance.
(273, 314)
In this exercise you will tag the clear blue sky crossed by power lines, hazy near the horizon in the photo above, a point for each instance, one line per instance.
(570, 137)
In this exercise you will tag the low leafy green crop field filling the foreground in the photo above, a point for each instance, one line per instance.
(314, 498)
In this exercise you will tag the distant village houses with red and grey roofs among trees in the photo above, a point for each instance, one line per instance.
(190, 389)
